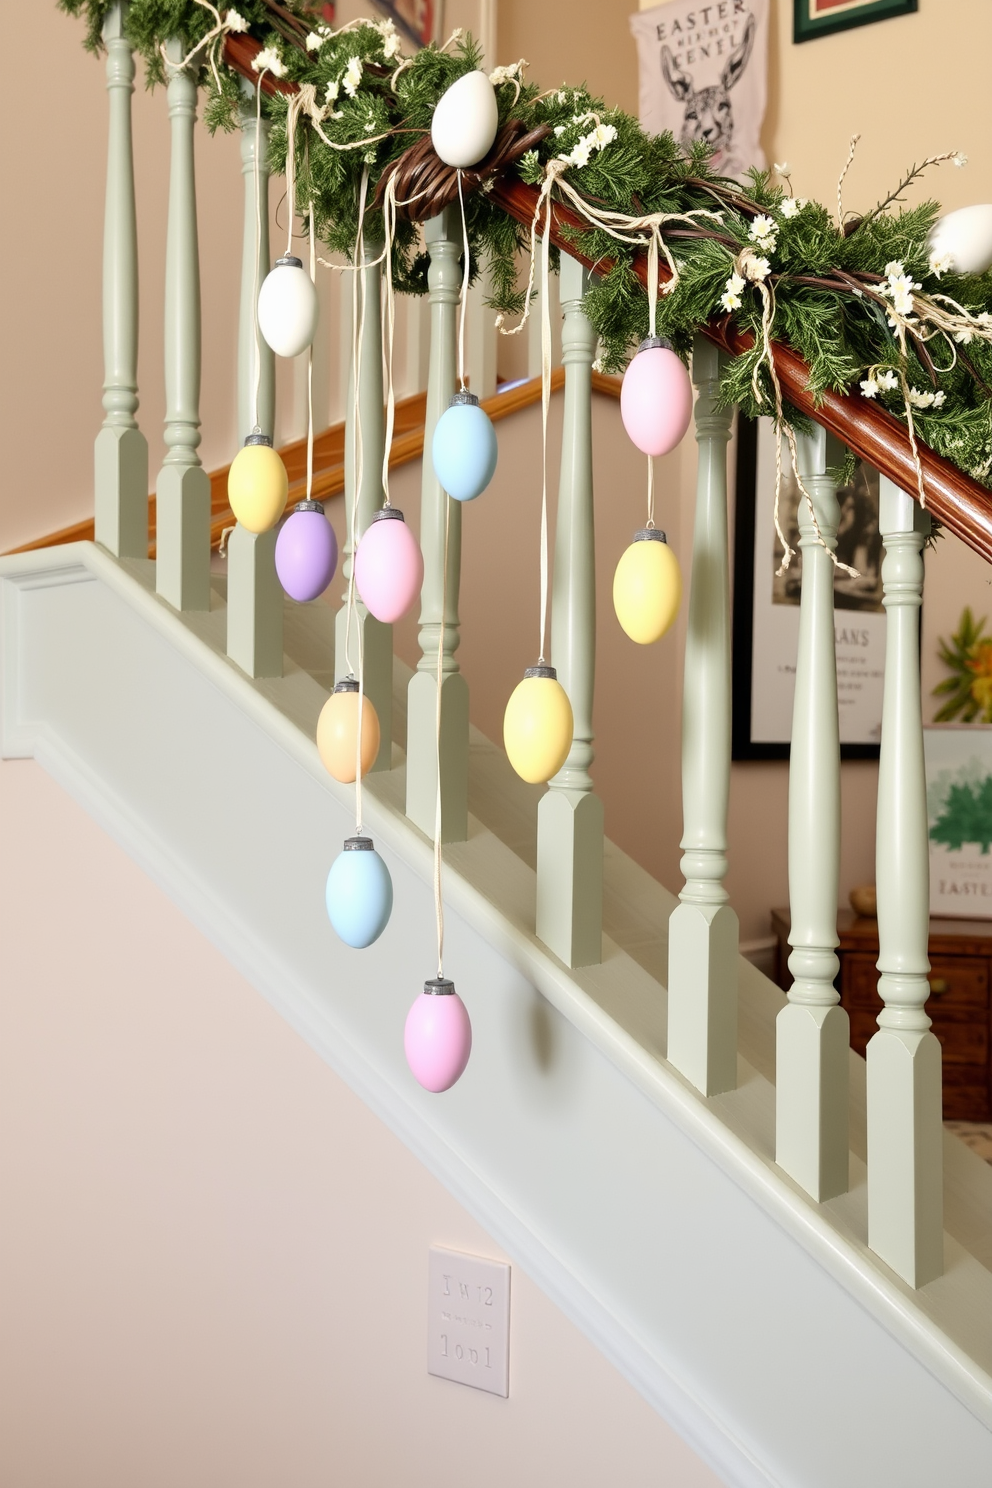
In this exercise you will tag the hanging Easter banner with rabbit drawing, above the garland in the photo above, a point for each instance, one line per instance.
(704, 74)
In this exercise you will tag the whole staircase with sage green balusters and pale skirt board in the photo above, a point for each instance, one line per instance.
(776, 1243)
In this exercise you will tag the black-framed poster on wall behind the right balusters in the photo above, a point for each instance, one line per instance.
(767, 606)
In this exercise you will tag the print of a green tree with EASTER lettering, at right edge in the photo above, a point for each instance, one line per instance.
(959, 760)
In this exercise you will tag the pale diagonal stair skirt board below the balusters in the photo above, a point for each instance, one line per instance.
(752, 1319)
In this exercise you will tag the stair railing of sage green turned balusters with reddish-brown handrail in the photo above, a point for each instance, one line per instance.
(904, 1059)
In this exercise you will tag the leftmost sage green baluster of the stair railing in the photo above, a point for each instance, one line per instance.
(121, 455)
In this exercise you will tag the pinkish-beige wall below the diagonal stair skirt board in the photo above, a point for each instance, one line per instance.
(215, 1257)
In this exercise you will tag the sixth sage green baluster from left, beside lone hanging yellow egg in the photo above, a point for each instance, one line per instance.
(570, 816)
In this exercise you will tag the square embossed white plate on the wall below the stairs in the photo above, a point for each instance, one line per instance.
(469, 1321)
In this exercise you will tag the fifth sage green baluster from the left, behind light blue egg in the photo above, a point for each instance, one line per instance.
(444, 245)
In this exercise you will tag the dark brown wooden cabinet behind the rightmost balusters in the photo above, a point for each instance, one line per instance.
(960, 974)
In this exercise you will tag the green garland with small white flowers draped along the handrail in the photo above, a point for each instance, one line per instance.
(856, 301)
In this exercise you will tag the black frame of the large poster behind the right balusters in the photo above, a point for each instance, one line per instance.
(743, 615)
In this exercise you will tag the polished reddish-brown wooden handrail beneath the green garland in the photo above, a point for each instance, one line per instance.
(963, 505)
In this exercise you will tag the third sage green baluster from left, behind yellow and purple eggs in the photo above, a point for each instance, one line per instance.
(255, 596)
